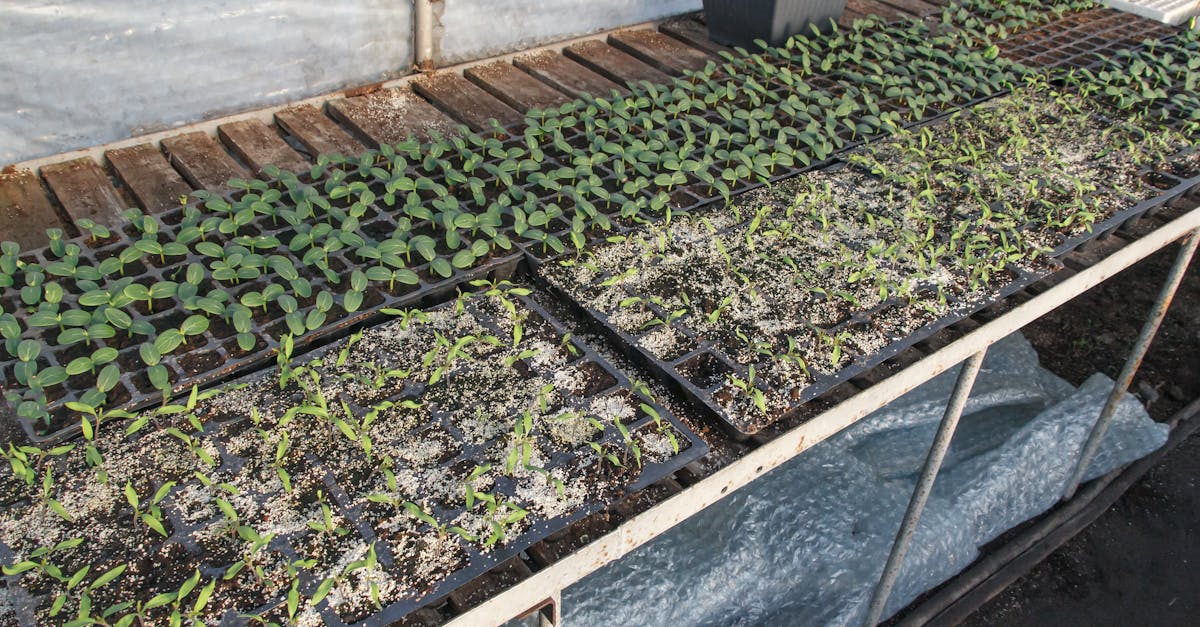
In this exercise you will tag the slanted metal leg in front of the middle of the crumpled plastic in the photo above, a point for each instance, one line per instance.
(925, 486)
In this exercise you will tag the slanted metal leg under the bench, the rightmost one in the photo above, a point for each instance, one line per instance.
(1133, 362)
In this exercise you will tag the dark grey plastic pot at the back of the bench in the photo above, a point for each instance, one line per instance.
(742, 22)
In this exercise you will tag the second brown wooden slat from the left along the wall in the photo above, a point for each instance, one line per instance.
(86, 192)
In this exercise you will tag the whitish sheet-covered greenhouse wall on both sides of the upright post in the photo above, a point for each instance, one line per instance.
(76, 74)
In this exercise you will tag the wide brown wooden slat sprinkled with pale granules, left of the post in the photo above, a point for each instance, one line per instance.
(391, 117)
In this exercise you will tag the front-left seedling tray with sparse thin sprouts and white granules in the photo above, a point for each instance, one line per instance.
(361, 456)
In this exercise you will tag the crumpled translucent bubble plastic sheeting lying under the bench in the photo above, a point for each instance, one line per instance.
(807, 544)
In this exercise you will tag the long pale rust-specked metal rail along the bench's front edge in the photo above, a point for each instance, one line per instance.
(661, 518)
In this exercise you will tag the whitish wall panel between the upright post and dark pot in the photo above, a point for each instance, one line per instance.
(472, 29)
